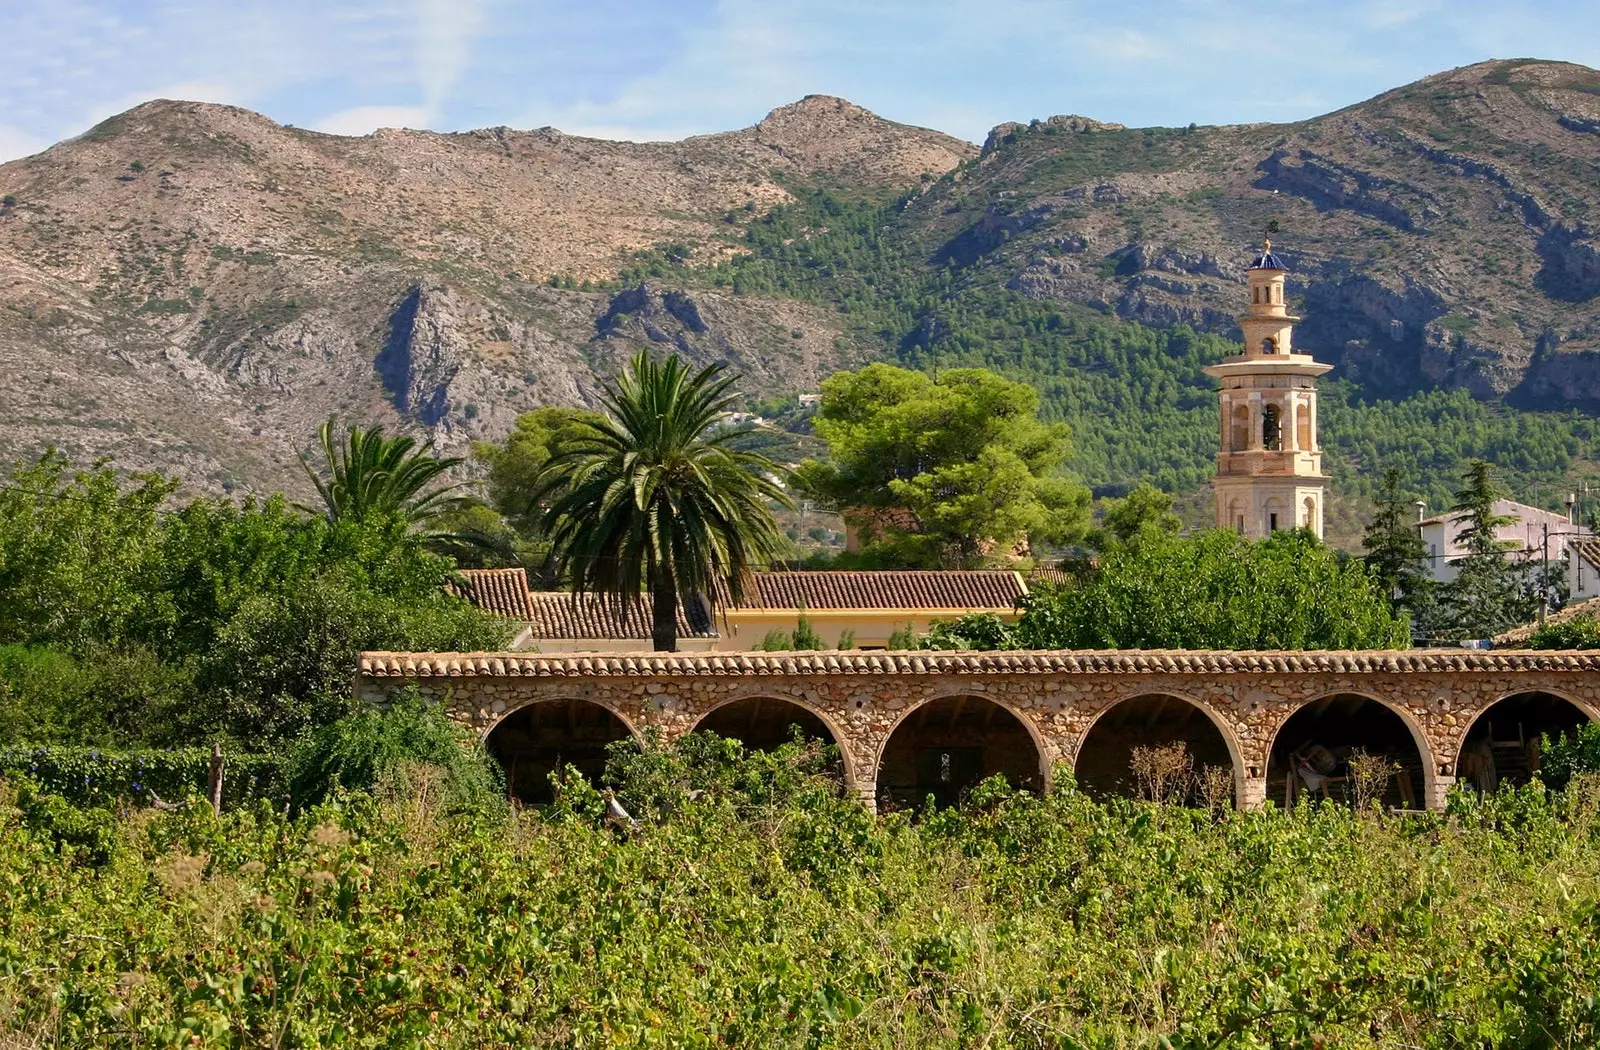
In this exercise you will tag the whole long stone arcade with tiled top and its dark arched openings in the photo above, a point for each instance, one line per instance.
(916, 724)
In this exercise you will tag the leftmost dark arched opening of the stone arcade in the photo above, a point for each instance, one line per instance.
(543, 735)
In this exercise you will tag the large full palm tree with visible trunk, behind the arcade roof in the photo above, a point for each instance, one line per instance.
(652, 500)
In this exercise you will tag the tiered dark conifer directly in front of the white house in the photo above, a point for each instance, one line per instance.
(1490, 591)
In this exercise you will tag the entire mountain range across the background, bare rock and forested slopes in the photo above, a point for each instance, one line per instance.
(194, 287)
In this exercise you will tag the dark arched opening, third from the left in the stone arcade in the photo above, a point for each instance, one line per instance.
(950, 742)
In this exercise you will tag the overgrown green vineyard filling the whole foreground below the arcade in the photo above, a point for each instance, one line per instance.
(758, 907)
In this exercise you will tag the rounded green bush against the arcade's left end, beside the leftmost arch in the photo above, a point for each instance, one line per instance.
(359, 751)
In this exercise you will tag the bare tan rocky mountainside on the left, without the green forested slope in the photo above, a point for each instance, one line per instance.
(193, 287)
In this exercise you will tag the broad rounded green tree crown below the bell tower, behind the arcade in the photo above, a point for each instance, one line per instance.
(1215, 591)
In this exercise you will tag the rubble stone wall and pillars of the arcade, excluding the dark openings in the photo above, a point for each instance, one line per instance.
(1057, 695)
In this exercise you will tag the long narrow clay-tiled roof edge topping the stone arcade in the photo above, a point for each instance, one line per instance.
(1082, 662)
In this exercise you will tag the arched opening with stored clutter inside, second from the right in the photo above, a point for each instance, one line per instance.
(1369, 724)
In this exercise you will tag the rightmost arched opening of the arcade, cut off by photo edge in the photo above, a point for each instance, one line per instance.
(1503, 740)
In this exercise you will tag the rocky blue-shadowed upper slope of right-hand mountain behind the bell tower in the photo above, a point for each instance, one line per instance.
(1442, 234)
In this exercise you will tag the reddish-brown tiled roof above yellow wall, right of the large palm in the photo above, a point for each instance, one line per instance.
(886, 590)
